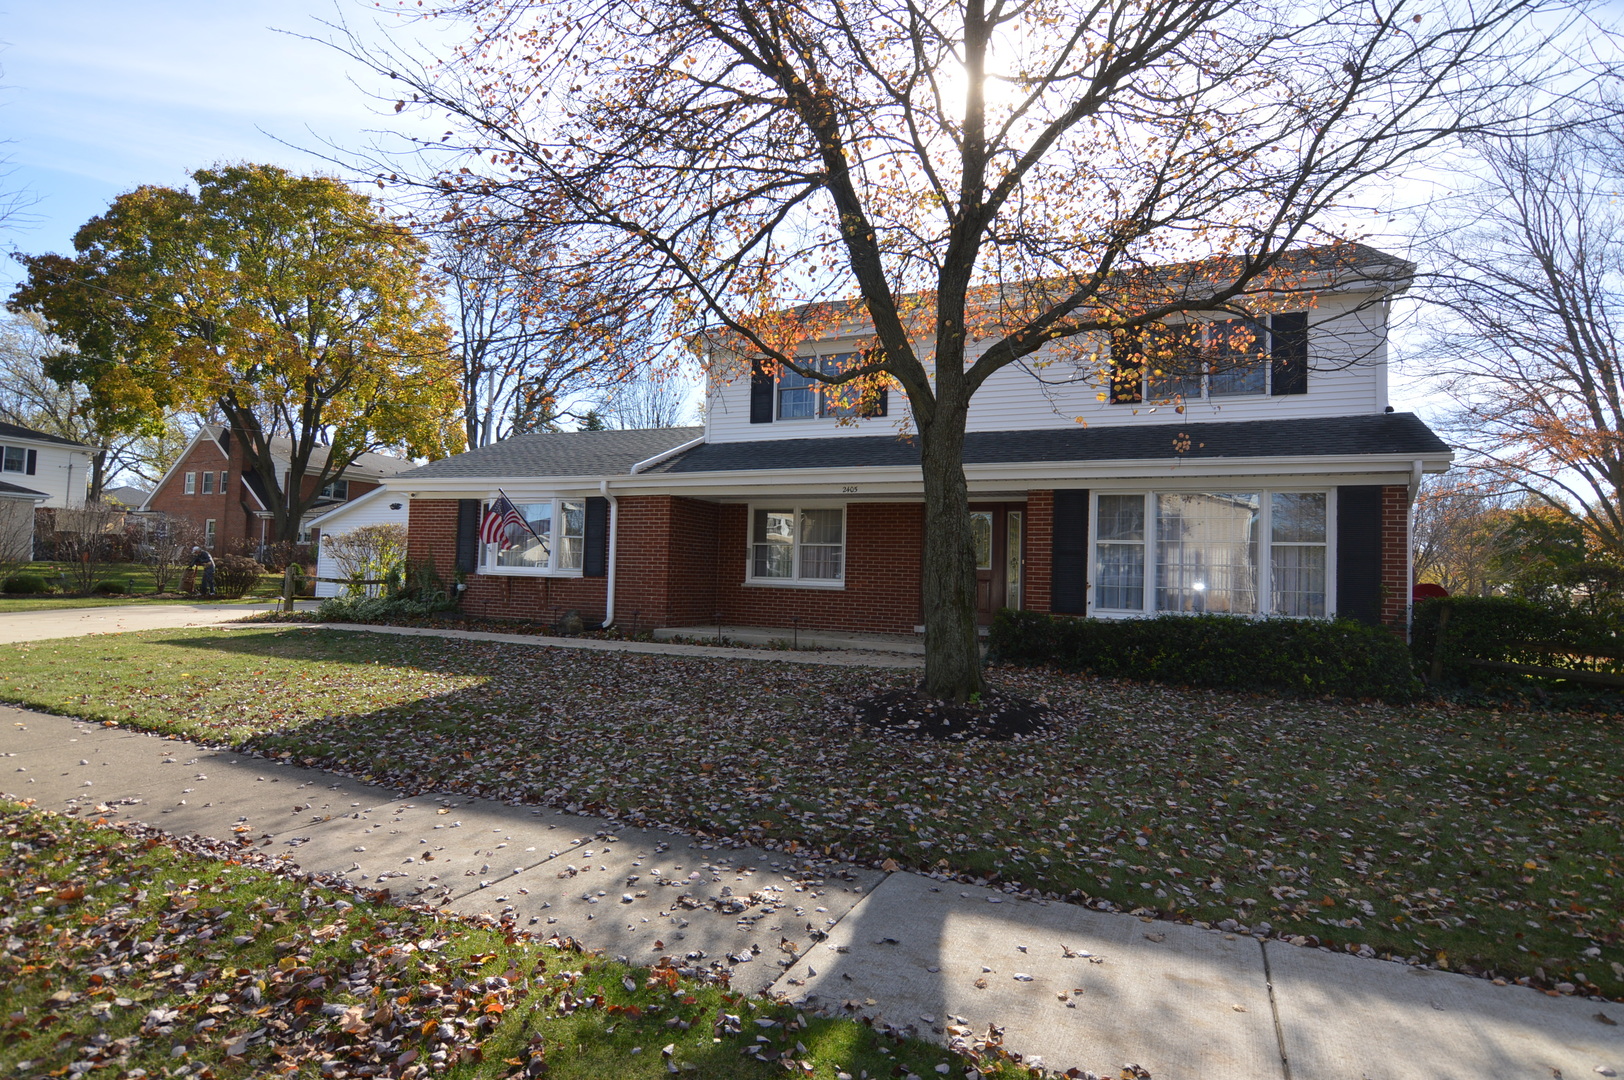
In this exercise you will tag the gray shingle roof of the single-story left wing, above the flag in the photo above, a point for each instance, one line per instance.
(559, 454)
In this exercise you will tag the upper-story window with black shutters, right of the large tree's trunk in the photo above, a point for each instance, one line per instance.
(1229, 358)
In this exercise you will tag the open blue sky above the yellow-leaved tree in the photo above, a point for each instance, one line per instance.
(108, 95)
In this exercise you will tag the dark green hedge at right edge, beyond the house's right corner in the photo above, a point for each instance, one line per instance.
(1500, 628)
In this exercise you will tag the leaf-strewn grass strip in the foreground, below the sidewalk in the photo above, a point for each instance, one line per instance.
(124, 953)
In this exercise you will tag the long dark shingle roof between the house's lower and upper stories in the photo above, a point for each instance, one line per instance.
(1384, 434)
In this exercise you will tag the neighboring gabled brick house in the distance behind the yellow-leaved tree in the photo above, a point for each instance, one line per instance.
(218, 491)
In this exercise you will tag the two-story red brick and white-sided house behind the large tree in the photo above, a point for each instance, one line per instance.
(1284, 485)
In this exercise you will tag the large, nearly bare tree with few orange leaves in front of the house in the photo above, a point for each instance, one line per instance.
(980, 183)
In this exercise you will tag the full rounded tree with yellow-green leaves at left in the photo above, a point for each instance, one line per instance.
(288, 306)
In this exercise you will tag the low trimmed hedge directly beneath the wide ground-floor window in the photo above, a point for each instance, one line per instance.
(1305, 657)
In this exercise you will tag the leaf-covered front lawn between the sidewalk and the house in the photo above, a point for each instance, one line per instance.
(1477, 840)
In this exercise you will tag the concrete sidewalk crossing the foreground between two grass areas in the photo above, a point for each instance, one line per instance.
(1078, 988)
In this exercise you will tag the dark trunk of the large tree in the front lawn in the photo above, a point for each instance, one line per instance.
(952, 650)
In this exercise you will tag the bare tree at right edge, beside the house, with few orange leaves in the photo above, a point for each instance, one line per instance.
(1531, 277)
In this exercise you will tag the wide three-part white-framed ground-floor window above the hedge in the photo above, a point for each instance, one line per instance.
(1219, 553)
